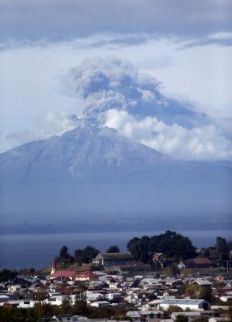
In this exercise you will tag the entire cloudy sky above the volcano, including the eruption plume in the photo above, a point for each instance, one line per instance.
(175, 53)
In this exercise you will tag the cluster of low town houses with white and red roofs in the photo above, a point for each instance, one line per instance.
(145, 295)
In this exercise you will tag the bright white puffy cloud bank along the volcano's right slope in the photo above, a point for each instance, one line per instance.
(201, 143)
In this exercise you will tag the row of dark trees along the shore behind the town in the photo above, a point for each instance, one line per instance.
(173, 245)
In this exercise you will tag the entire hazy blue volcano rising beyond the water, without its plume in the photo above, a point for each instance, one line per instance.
(90, 174)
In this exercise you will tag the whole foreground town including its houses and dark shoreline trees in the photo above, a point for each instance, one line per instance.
(160, 278)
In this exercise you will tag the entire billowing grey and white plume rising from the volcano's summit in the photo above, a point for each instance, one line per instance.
(118, 96)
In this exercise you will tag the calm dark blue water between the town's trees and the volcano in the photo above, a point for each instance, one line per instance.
(19, 251)
